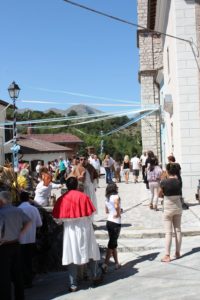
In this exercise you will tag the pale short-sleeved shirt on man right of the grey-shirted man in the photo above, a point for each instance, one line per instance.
(33, 213)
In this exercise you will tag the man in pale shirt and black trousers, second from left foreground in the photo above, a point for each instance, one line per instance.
(28, 240)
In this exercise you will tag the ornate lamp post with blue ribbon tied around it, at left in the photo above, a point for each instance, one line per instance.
(13, 91)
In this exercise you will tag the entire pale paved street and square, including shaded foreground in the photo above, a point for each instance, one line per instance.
(141, 246)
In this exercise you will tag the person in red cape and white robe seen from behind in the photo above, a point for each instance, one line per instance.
(75, 209)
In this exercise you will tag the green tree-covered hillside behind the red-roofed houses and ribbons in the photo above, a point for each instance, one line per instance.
(127, 141)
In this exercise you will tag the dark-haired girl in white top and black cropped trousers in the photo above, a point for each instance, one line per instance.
(113, 209)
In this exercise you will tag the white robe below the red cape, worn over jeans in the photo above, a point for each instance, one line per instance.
(79, 242)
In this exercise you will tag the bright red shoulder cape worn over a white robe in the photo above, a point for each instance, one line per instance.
(73, 204)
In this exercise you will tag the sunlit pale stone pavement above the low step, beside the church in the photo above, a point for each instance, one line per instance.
(138, 220)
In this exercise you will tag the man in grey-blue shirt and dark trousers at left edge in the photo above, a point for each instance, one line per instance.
(13, 224)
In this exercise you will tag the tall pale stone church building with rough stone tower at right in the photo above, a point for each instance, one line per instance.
(174, 74)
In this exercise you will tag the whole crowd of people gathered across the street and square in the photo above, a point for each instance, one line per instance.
(76, 208)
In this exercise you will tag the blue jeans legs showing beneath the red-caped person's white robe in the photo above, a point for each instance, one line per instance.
(94, 271)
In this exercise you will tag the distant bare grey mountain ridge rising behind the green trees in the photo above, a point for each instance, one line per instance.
(80, 109)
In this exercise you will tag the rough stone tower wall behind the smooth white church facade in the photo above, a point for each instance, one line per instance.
(150, 50)
